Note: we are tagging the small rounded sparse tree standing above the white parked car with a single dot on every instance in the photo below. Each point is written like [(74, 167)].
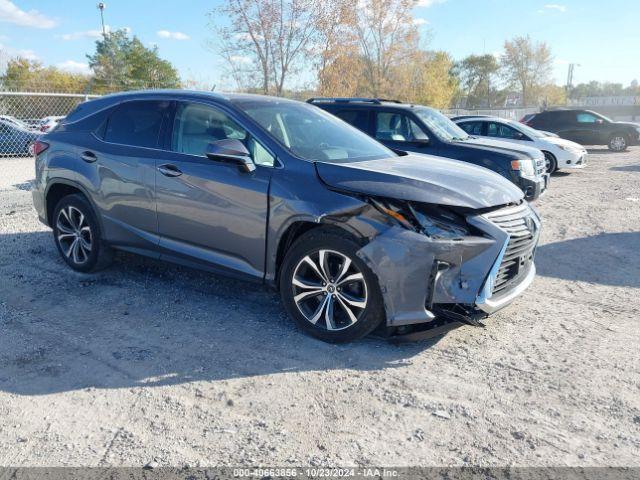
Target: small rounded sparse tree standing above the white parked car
[(527, 65)]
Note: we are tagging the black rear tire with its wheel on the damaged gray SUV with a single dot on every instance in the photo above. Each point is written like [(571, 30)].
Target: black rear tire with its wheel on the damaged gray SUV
[(90, 254)]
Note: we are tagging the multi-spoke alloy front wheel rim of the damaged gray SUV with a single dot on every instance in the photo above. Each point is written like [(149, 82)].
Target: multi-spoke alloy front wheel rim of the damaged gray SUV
[(329, 290)]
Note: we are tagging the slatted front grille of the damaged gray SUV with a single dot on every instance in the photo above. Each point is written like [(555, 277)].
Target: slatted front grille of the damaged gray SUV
[(518, 255)]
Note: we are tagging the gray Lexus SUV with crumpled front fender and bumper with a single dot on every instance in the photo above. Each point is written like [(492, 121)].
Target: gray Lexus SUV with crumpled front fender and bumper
[(355, 236)]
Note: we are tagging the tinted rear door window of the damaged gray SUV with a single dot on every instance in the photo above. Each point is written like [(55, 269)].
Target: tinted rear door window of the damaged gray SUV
[(137, 123)]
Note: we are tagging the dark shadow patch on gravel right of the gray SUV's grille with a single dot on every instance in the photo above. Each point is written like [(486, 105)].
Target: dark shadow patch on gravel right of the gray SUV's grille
[(606, 259)]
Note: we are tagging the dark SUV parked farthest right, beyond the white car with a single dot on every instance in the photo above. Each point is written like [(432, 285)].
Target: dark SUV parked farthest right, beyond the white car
[(587, 128)]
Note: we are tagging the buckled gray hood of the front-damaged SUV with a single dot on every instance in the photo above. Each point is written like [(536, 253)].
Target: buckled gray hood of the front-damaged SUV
[(422, 178)]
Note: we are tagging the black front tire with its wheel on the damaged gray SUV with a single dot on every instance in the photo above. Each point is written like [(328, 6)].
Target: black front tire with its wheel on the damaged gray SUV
[(339, 327)]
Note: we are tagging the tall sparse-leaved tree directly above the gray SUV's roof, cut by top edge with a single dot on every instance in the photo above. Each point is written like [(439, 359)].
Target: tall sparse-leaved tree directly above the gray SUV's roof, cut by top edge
[(266, 40)]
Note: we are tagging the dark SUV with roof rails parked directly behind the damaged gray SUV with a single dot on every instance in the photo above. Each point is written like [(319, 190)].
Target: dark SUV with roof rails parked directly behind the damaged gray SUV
[(418, 129)]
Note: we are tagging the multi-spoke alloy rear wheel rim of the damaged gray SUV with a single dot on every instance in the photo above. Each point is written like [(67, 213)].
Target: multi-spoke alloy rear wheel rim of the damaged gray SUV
[(74, 235)]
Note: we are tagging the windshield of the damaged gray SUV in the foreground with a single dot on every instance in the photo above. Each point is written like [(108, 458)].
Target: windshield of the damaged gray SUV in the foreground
[(312, 134)]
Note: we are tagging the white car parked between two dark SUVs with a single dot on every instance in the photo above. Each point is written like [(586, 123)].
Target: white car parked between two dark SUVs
[(559, 153)]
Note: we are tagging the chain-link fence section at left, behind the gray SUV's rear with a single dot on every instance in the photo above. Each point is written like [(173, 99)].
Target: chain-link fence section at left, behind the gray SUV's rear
[(24, 116)]
